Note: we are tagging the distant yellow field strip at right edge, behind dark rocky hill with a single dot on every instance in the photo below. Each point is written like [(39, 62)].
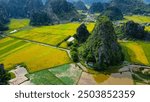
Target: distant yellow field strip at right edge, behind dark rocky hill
[(138, 18)]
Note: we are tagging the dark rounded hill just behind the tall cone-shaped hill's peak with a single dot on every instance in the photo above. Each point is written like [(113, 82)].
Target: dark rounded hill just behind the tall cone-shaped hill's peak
[(113, 13)]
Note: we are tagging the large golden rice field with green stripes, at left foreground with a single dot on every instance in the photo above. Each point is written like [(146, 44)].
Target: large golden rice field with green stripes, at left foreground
[(34, 56)]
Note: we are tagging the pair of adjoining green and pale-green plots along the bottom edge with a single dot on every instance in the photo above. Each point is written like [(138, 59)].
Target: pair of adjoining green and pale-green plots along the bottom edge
[(64, 74)]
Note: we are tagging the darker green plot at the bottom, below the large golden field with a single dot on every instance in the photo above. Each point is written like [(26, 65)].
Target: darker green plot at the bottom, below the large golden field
[(44, 78)]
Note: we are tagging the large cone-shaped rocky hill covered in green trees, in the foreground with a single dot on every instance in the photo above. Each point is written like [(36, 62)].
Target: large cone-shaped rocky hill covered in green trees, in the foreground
[(102, 47)]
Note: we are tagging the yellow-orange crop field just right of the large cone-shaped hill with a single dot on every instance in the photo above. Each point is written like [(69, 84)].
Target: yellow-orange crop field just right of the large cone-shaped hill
[(136, 53)]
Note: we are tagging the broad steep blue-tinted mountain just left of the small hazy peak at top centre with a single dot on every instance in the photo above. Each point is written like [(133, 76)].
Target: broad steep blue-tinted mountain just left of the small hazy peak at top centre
[(62, 9)]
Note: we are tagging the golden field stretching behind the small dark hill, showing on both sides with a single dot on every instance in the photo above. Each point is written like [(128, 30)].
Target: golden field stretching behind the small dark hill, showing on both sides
[(51, 34)]
